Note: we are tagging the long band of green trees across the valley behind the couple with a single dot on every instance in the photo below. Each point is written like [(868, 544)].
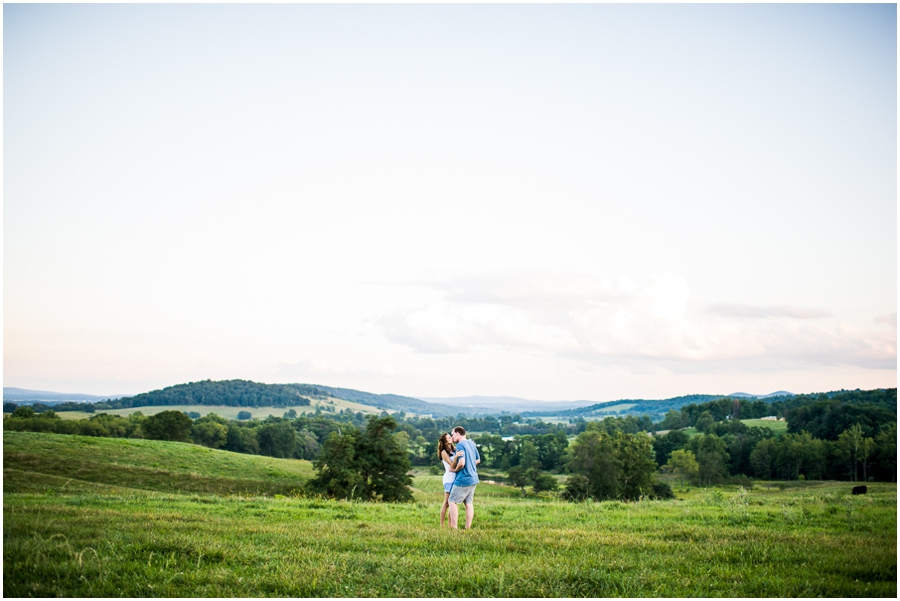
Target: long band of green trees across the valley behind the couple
[(848, 436)]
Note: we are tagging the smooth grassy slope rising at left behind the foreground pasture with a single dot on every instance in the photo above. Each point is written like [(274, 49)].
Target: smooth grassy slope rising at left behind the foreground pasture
[(37, 461)]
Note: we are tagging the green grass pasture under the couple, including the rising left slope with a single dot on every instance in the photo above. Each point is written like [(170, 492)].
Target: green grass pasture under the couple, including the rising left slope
[(112, 535)]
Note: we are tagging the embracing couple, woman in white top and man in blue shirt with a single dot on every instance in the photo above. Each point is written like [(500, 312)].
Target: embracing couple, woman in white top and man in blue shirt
[(459, 457)]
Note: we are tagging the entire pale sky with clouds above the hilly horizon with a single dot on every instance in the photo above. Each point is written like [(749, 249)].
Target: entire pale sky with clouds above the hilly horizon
[(555, 202)]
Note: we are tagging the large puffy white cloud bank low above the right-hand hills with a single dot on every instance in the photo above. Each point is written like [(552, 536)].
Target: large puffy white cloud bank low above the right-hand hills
[(629, 322)]
